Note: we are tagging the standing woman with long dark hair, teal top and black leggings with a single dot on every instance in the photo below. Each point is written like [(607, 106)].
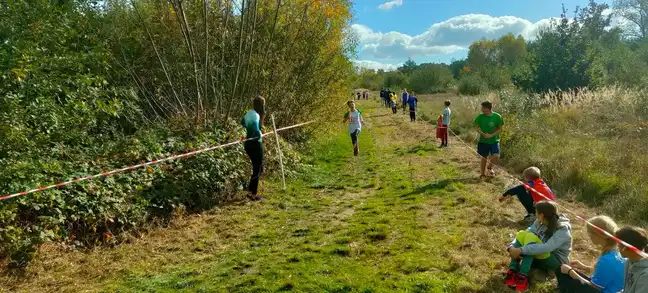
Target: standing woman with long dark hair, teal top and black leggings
[(252, 121)]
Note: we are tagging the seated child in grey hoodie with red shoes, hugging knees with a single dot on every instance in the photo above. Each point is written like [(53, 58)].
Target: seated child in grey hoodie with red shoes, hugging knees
[(546, 244)]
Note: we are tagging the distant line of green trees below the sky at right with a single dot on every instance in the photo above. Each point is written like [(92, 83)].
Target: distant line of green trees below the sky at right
[(583, 50)]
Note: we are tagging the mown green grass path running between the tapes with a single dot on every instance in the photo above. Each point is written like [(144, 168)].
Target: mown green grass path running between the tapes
[(404, 216)]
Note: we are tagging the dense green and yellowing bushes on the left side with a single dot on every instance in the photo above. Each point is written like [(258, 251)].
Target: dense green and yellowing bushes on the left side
[(91, 86)]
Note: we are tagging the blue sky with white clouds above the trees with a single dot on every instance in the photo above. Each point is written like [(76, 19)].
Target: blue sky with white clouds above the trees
[(390, 31)]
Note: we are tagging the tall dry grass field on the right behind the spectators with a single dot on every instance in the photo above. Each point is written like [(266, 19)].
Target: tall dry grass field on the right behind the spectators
[(591, 146)]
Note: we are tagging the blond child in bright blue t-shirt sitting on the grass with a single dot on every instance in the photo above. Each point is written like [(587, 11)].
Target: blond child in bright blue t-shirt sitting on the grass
[(608, 274)]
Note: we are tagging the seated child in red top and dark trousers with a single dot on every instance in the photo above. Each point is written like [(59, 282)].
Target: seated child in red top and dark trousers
[(531, 192)]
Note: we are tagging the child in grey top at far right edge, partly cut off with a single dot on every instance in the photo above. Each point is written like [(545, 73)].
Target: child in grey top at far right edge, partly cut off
[(636, 267)]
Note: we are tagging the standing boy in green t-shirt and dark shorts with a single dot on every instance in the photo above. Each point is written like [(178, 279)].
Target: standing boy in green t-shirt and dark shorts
[(489, 125)]
